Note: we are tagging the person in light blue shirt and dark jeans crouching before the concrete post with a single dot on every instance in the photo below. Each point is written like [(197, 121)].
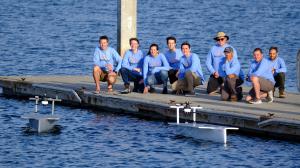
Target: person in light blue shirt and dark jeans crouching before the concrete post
[(132, 67)]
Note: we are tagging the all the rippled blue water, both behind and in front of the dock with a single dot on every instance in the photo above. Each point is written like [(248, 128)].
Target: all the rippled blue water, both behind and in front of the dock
[(45, 37)]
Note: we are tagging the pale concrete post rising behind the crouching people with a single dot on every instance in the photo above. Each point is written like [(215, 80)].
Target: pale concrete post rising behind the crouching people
[(127, 14)]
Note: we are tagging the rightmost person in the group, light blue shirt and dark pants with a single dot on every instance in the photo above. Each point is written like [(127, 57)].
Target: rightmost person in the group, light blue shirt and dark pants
[(279, 70)]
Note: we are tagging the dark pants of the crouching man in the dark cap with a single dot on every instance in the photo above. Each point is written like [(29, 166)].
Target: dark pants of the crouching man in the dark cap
[(232, 87)]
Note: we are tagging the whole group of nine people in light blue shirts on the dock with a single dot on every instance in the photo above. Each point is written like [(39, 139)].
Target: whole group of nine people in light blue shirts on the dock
[(182, 68)]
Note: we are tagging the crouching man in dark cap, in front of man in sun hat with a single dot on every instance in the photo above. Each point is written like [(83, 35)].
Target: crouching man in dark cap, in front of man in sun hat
[(233, 77)]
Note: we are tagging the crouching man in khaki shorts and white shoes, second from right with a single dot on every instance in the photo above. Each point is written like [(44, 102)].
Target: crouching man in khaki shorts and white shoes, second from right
[(261, 76)]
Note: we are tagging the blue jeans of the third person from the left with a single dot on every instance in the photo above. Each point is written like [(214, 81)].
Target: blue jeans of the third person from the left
[(158, 78)]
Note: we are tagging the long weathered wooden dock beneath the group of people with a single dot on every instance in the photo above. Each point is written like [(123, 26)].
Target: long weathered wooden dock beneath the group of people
[(279, 119)]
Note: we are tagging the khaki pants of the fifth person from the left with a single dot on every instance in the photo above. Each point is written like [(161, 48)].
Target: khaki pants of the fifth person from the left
[(190, 81)]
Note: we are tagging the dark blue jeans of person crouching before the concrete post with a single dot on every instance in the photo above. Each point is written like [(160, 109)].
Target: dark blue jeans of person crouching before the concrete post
[(128, 76)]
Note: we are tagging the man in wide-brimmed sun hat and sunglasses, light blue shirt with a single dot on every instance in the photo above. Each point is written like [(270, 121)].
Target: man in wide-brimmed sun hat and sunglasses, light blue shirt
[(213, 60)]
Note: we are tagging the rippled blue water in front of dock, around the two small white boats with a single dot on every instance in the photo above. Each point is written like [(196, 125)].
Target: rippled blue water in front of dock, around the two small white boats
[(92, 138)]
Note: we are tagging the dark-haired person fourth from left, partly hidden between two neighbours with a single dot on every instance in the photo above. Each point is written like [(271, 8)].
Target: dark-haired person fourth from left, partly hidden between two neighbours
[(173, 56)]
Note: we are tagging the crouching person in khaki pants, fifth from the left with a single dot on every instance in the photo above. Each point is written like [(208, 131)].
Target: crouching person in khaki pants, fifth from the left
[(190, 72)]
